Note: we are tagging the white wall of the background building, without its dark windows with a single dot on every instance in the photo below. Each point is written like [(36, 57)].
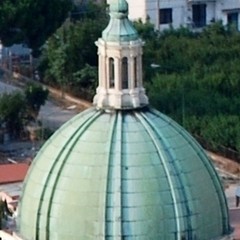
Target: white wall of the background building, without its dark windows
[(182, 11)]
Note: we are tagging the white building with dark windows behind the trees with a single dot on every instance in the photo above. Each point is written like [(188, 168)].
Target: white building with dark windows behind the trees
[(194, 14)]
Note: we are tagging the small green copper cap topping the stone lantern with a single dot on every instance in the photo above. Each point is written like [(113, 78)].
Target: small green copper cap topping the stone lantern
[(119, 29)]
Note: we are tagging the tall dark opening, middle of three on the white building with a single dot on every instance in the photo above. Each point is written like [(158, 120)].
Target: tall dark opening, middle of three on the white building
[(199, 15)]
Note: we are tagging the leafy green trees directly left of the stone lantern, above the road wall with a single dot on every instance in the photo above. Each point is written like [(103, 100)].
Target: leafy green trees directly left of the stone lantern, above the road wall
[(70, 56)]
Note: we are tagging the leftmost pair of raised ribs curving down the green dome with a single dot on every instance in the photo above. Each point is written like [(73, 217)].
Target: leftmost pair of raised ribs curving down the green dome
[(71, 142)]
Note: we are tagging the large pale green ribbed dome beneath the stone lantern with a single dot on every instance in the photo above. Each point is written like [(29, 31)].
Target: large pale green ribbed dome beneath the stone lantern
[(122, 175)]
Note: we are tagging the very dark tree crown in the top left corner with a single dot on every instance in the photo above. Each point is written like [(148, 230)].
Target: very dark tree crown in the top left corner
[(31, 21)]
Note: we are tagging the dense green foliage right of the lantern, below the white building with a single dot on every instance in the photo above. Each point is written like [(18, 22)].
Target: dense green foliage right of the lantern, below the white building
[(198, 81)]
